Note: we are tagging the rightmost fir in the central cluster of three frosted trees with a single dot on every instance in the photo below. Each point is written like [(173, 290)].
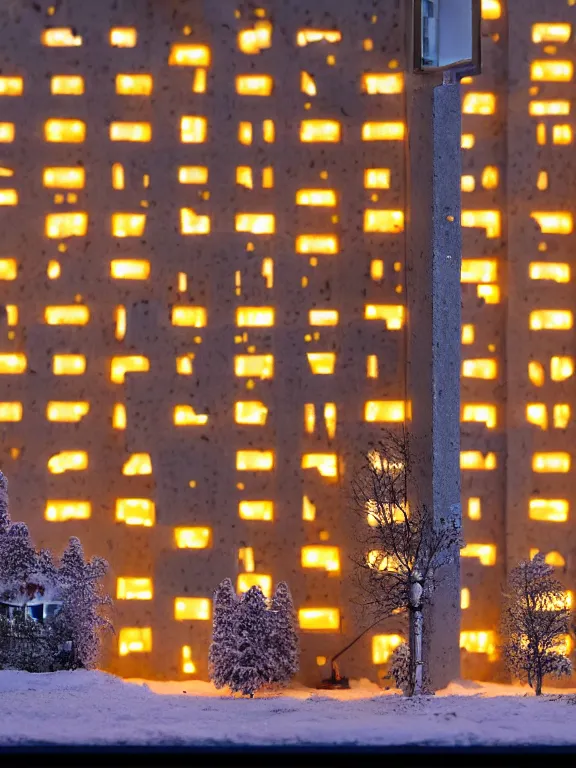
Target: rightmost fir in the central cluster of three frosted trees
[(283, 641)]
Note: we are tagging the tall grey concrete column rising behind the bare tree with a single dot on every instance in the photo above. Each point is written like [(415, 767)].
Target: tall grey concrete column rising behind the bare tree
[(433, 262)]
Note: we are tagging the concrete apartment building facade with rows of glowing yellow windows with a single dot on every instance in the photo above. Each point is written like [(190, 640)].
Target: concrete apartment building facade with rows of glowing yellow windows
[(202, 266)]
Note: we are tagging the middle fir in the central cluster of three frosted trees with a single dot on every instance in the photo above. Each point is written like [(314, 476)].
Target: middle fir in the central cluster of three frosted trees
[(253, 665)]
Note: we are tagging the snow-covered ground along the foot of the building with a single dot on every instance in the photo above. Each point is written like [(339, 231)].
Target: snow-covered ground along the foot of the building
[(96, 708)]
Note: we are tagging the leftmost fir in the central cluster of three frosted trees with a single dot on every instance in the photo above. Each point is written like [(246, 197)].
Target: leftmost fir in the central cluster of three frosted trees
[(223, 649)]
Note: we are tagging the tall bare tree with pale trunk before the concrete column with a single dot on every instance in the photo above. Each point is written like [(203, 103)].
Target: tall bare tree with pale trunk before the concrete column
[(403, 545)]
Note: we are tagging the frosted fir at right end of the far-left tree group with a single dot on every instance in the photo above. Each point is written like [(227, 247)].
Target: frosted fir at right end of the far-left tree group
[(83, 598)]
